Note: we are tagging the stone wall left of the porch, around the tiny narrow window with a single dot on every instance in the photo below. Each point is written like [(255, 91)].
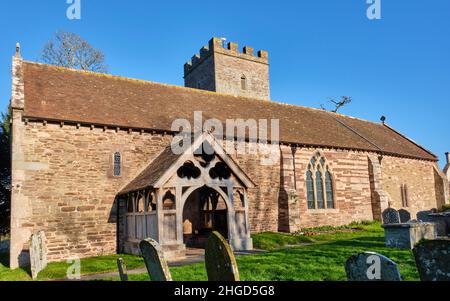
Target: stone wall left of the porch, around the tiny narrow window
[(68, 190)]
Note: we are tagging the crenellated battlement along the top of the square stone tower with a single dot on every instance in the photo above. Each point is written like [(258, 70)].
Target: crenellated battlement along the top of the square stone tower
[(215, 45)]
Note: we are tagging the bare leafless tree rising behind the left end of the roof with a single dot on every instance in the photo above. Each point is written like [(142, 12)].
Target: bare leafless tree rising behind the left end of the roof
[(69, 50)]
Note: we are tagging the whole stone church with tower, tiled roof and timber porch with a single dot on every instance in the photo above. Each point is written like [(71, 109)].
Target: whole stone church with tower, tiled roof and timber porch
[(93, 164)]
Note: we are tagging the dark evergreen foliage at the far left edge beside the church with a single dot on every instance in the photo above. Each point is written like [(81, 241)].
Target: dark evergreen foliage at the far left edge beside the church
[(5, 172)]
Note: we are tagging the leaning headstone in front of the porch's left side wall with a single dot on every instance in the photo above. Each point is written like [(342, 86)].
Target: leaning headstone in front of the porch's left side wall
[(157, 267)]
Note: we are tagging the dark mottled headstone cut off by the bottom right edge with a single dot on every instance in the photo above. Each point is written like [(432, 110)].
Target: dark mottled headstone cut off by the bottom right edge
[(433, 259)]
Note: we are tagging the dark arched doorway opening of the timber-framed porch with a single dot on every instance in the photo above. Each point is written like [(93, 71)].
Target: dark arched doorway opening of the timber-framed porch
[(204, 211)]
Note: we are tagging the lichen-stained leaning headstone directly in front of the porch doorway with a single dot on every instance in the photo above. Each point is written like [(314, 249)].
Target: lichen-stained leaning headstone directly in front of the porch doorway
[(219, 259)]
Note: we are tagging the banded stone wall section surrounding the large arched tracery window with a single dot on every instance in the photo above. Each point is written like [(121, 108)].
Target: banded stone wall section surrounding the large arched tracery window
[(351, 188)]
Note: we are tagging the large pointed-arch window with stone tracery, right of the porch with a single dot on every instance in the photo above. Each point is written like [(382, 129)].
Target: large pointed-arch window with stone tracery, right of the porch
[(319, 185)]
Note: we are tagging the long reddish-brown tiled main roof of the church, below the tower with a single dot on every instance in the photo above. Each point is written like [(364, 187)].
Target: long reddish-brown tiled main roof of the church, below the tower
[(61, 94)]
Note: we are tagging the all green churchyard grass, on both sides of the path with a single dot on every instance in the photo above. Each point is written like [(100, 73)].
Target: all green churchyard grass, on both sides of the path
[(324, 259)]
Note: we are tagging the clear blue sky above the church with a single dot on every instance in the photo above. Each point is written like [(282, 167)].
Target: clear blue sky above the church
[(398, 66)]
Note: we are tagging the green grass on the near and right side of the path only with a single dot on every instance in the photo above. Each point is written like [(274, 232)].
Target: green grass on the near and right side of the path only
[(323, 260)]
